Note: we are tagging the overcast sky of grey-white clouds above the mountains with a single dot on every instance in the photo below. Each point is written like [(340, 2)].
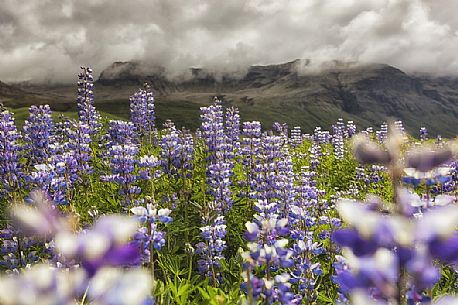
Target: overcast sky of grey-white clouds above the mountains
[(50, 39)]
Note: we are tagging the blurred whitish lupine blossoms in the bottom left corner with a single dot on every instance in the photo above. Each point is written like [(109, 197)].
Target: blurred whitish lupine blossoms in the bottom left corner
[(42, 285)]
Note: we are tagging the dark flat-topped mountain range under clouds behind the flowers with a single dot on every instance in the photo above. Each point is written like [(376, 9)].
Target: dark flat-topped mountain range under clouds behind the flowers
[(295, 92)]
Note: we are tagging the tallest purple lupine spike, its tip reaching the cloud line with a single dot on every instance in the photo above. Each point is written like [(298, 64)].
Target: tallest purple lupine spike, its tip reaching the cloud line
[(86, 111)]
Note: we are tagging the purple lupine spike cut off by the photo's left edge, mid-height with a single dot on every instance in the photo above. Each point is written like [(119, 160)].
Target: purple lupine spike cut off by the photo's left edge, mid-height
[(10, 168)]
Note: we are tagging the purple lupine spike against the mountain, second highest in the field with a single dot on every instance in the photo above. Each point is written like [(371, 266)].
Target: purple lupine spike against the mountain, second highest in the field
[(142, 113)]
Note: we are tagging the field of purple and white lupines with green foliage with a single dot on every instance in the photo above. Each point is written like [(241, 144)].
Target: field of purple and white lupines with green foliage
[(128, 212)]
